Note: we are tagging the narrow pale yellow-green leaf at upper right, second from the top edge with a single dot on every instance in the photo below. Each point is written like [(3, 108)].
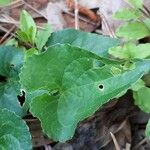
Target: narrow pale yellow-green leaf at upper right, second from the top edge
[(127, 14)]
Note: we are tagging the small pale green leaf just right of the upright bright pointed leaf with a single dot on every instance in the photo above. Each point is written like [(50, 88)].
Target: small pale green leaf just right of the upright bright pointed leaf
[(42, 36)]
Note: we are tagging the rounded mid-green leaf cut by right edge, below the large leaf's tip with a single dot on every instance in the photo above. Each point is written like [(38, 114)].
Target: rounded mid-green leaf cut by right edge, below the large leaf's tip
[(141, 98)]
